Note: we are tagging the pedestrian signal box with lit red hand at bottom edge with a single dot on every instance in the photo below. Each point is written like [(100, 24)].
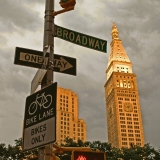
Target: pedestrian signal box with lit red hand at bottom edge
[(88, 155)]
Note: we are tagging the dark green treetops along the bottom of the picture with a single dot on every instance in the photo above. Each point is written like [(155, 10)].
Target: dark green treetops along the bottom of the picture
[(146, 152)]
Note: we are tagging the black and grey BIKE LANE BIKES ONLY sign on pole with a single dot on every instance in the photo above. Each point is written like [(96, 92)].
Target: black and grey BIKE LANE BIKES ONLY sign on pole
[(40, 118)]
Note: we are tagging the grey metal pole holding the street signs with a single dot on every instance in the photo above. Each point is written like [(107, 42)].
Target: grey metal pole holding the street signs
[(45, 153)]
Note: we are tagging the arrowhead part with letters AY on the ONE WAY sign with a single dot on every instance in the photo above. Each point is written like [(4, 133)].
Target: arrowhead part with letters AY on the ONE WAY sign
[(62, 64)]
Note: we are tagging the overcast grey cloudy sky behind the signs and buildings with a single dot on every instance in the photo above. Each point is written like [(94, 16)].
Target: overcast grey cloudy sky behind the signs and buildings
[(138, 23)]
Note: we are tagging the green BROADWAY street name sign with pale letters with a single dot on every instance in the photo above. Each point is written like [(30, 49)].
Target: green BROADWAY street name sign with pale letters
[(81, 39)]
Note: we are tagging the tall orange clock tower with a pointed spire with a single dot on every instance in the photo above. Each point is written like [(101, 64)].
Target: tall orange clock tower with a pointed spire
[(122, 100)]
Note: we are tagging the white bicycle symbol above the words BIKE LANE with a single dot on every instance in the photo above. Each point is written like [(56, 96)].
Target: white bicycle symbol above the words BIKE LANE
[(42, 101)]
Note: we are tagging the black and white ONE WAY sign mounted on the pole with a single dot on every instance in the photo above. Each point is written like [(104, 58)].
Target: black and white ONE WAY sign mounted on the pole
[(33, 58)]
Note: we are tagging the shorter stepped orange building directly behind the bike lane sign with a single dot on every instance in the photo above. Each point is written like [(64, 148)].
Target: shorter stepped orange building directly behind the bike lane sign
[(68, 123)]
